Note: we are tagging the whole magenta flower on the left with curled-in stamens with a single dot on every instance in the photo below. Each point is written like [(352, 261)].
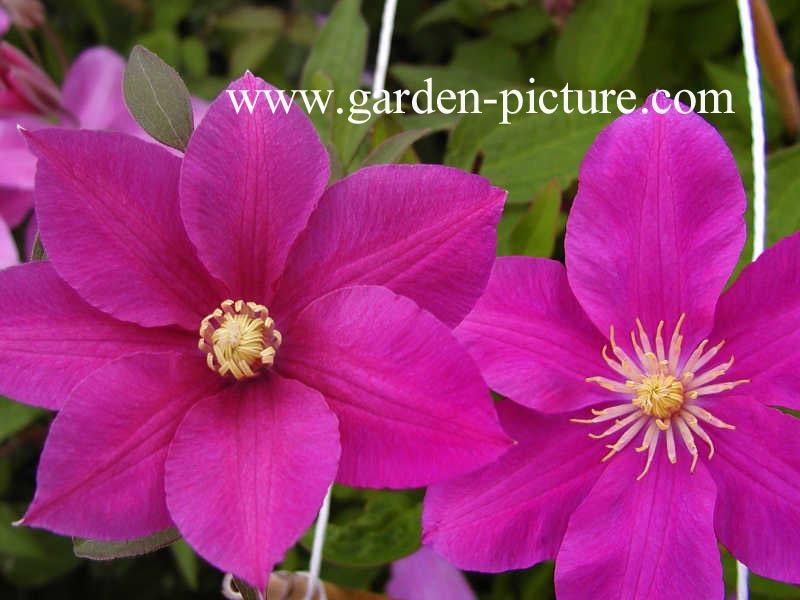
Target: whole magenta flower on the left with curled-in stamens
[(322, 319)]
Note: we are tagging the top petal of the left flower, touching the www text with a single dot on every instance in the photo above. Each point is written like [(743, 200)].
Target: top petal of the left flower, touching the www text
[(248, 185)]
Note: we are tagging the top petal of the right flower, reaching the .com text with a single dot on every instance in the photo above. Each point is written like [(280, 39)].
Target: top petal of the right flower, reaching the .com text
[(657, 225)]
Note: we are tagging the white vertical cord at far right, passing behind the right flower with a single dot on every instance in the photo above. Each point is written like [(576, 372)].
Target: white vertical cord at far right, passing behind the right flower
[(759, 183)]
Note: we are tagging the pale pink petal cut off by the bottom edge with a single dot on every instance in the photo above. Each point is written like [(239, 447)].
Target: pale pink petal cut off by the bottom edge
[(427, 576)]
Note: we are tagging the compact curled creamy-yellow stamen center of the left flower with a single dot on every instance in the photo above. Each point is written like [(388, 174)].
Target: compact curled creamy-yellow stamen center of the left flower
[(239, 339)]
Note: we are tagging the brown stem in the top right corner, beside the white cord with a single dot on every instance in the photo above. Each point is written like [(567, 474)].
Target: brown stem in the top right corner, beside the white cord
[(777, 68)]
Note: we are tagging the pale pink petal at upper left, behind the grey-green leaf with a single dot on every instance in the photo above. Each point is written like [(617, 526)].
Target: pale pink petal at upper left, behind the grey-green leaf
[(92, 92)]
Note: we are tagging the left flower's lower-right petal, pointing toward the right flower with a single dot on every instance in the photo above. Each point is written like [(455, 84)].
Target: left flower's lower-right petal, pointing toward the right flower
[(402, 387)]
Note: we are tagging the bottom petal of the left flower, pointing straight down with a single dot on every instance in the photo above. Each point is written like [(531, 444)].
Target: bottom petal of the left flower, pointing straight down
[(247, 472)]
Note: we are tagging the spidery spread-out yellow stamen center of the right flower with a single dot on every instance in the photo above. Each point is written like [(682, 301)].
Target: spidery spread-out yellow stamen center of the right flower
[(663, 393)]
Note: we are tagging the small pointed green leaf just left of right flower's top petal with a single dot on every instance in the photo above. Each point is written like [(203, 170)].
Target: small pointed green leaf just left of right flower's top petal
[(535, 233)]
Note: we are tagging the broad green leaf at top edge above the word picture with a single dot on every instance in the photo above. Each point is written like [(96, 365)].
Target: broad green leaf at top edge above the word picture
[(601, 41)]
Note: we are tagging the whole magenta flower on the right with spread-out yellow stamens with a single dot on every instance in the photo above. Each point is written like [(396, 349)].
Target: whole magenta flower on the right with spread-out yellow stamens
[(674, 384)]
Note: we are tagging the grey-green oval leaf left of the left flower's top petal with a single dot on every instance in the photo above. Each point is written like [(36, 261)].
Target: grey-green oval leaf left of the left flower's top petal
[(158, 99)]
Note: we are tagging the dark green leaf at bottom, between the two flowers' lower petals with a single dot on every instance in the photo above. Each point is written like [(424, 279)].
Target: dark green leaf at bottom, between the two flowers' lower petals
[(386, 529)]
